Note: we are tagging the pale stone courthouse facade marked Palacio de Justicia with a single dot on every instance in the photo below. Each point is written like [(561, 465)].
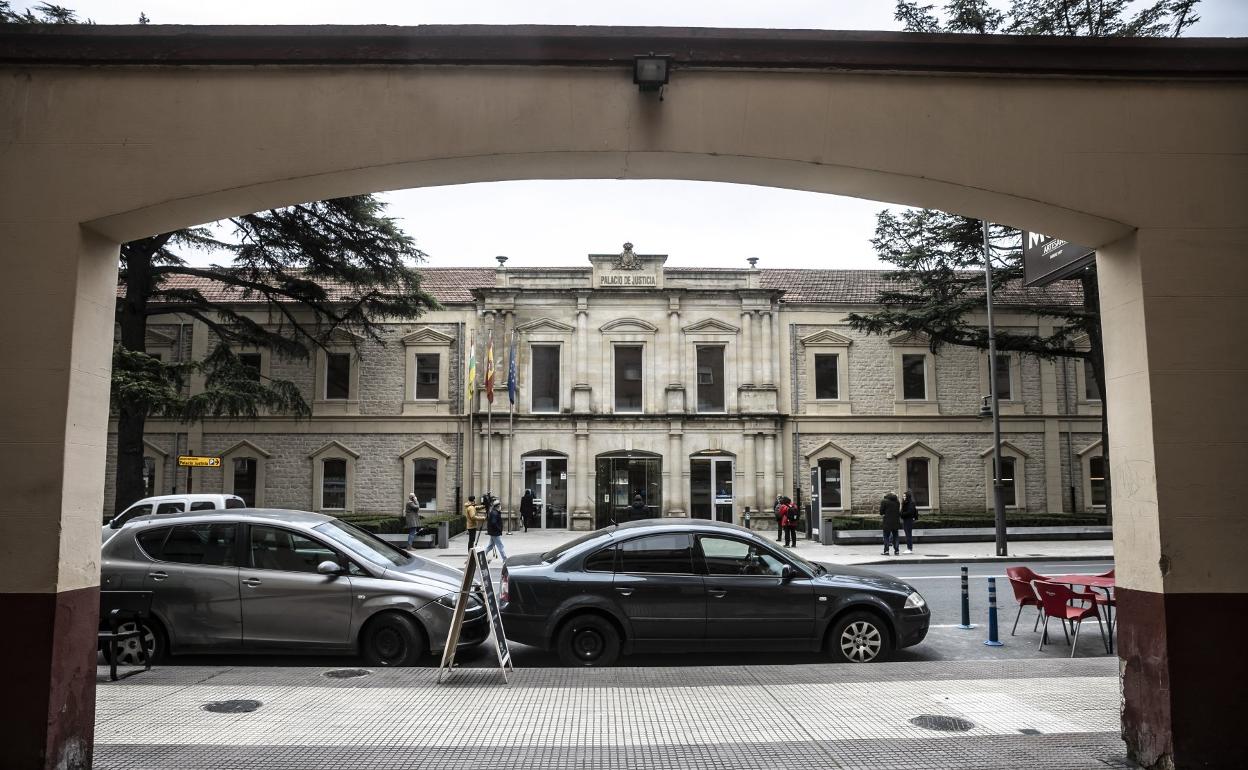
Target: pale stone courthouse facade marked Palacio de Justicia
[(701, 391)]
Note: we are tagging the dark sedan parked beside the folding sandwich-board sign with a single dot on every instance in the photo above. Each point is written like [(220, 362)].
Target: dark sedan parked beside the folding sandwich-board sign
[(658, 586)]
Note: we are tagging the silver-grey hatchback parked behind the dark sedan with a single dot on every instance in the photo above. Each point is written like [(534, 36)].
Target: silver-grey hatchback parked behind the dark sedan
[(259, 581)]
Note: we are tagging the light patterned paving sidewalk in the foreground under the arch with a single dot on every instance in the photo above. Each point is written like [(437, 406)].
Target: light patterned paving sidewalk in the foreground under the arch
[(979, 714)]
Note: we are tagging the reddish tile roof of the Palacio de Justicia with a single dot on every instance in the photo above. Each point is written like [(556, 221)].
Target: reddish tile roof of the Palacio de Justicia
[(455, 285)]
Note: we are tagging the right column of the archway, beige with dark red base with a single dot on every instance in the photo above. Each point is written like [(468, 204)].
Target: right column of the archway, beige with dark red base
[(1174, 306)]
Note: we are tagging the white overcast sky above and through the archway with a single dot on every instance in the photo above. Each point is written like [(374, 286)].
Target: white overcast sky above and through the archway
[(558, 223)]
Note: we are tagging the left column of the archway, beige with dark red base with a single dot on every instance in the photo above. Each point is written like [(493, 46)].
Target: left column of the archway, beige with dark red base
[(54, 417)]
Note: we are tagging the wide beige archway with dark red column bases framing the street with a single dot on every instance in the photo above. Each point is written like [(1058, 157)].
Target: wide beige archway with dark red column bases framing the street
[(1134, 147)]
